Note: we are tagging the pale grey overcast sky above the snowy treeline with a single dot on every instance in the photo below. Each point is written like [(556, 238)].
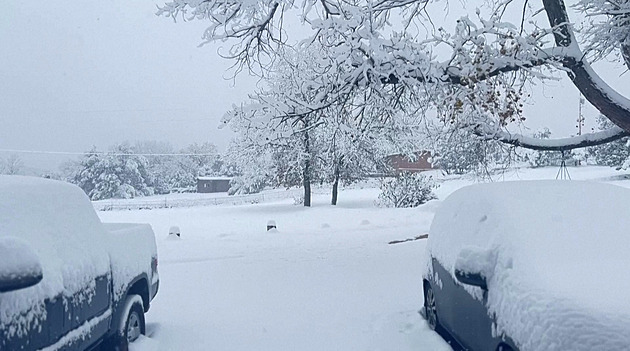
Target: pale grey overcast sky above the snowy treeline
[(78, 74)]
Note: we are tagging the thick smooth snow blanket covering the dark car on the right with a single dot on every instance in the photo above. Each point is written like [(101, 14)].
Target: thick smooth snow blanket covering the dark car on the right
[(561, 278)]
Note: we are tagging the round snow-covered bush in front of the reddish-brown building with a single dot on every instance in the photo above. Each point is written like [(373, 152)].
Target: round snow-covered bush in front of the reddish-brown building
[(406, 190)]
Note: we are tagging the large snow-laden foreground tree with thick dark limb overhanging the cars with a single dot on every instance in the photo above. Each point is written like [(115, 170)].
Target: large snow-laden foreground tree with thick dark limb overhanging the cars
[(473, 72)]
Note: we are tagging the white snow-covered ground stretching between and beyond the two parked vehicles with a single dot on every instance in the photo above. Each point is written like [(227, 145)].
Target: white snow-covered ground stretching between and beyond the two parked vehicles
[(326, 280)]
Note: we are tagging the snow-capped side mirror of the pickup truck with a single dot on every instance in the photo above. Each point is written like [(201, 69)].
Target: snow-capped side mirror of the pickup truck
[(20, 267)]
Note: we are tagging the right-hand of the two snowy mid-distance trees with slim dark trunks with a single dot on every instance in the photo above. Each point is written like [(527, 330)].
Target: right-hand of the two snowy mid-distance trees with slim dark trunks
[(357, 137)]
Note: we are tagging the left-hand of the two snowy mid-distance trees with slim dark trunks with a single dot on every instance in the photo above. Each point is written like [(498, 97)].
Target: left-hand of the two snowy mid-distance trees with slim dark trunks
[(275, 128)]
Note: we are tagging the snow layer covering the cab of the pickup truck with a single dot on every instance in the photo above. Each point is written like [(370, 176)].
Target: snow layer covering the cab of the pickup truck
[(57, 221)]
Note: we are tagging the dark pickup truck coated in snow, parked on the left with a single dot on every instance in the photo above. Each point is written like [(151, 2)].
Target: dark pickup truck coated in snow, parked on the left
[(68, 281)]
